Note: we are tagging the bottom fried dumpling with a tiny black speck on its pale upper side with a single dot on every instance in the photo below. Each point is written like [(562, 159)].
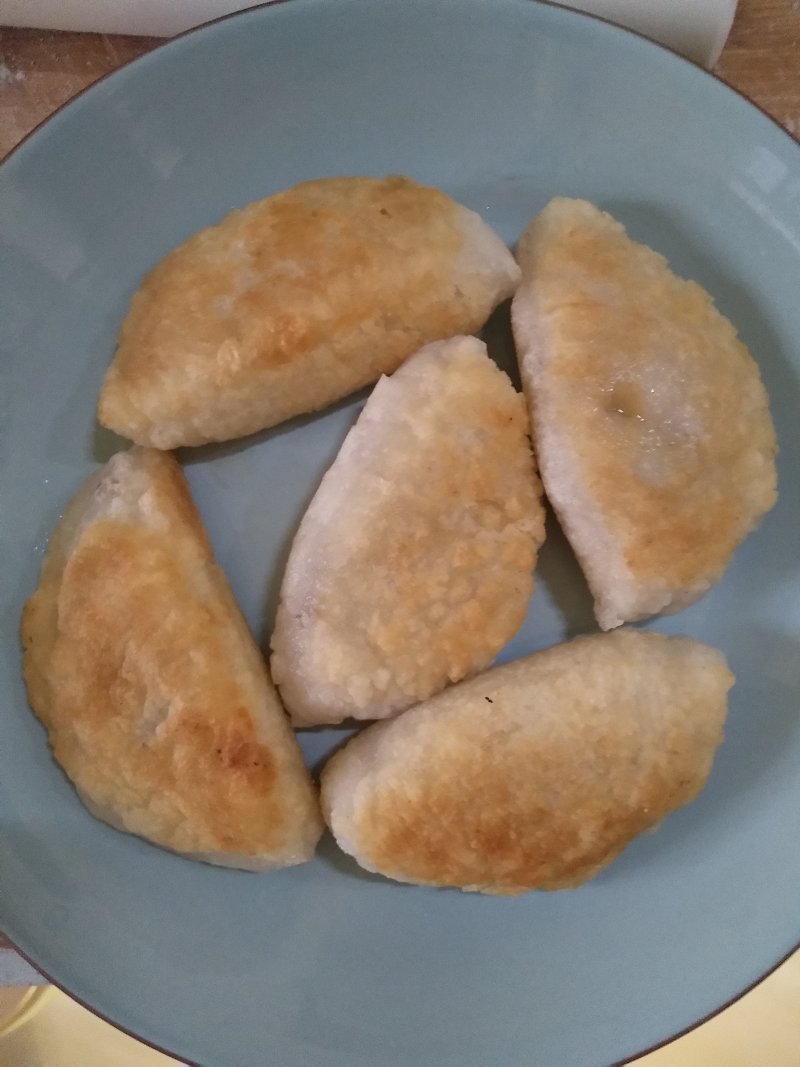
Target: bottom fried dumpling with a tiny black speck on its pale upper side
[(535, 775)]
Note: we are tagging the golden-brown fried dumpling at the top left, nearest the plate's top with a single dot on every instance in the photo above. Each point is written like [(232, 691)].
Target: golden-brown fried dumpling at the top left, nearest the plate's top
[(294, 302)]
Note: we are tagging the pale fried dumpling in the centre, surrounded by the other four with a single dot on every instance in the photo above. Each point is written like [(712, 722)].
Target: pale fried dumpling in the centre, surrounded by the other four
[(413, 565)]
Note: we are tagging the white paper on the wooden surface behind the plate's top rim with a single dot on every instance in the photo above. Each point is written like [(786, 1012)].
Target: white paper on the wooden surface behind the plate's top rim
[(696, 28)]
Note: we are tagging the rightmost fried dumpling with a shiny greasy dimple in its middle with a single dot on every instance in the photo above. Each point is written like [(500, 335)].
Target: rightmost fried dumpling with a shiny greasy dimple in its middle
[(651, 423)]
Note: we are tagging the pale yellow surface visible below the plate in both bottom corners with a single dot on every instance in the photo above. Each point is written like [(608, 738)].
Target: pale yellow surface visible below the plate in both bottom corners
[(46, 1029)]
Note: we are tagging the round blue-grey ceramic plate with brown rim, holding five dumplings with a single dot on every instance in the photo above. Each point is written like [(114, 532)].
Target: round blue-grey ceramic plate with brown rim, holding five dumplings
[(504, 104)]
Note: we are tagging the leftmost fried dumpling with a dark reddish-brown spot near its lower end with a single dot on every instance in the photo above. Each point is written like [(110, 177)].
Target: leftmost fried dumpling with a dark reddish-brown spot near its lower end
[(156, 699)]
